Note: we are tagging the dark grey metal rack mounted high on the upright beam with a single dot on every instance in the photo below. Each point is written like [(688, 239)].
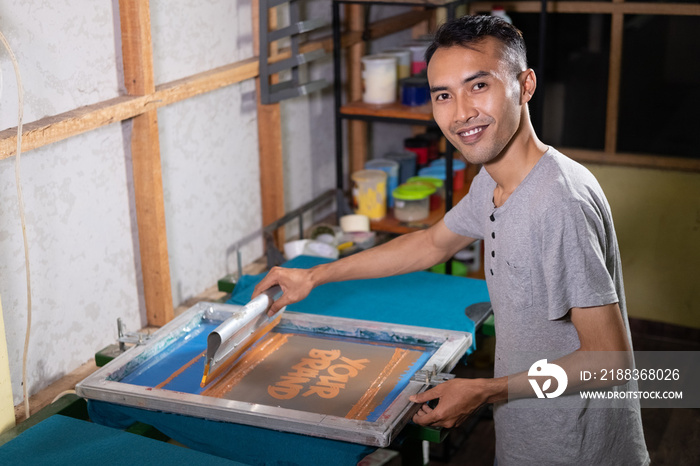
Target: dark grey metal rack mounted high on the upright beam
[(272, 93)]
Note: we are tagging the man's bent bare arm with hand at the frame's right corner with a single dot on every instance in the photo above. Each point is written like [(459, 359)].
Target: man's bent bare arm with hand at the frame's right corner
[(599, 329)]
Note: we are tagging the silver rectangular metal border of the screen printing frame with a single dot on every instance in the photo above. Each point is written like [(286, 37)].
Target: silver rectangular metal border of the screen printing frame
[(103, 385)]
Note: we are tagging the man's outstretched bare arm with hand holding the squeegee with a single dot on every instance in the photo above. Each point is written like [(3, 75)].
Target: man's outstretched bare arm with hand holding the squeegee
[(407, 253)]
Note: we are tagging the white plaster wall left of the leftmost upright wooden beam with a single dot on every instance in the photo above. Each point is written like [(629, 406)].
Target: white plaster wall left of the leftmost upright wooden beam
[(76, 197)]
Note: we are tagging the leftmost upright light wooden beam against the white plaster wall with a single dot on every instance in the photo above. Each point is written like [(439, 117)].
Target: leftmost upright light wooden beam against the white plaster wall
[(145, 154)]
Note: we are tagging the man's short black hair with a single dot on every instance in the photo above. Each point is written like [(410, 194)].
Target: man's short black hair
[(469, 30)]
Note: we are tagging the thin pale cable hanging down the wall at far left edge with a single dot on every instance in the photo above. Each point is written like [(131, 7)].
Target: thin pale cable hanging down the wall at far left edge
[(20, 200)]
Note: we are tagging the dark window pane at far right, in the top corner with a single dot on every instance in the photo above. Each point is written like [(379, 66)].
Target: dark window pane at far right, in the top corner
[(660, 86)]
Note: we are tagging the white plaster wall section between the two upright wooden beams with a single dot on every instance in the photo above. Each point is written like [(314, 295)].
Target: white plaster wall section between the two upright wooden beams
[(209, 144)]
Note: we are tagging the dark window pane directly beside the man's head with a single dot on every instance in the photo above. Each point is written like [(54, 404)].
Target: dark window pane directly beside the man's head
[(575, 77)]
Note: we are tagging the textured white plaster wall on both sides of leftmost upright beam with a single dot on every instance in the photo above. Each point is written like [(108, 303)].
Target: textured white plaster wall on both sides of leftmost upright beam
[(79, 192)]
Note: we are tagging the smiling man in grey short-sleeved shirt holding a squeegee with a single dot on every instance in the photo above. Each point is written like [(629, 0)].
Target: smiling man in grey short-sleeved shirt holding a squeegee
[(552, 261)]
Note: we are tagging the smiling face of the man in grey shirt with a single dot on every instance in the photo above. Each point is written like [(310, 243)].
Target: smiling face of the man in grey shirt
[(475, 96)]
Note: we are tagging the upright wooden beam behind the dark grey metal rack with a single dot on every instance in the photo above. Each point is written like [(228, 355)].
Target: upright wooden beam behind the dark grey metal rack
[(269, 143)]
